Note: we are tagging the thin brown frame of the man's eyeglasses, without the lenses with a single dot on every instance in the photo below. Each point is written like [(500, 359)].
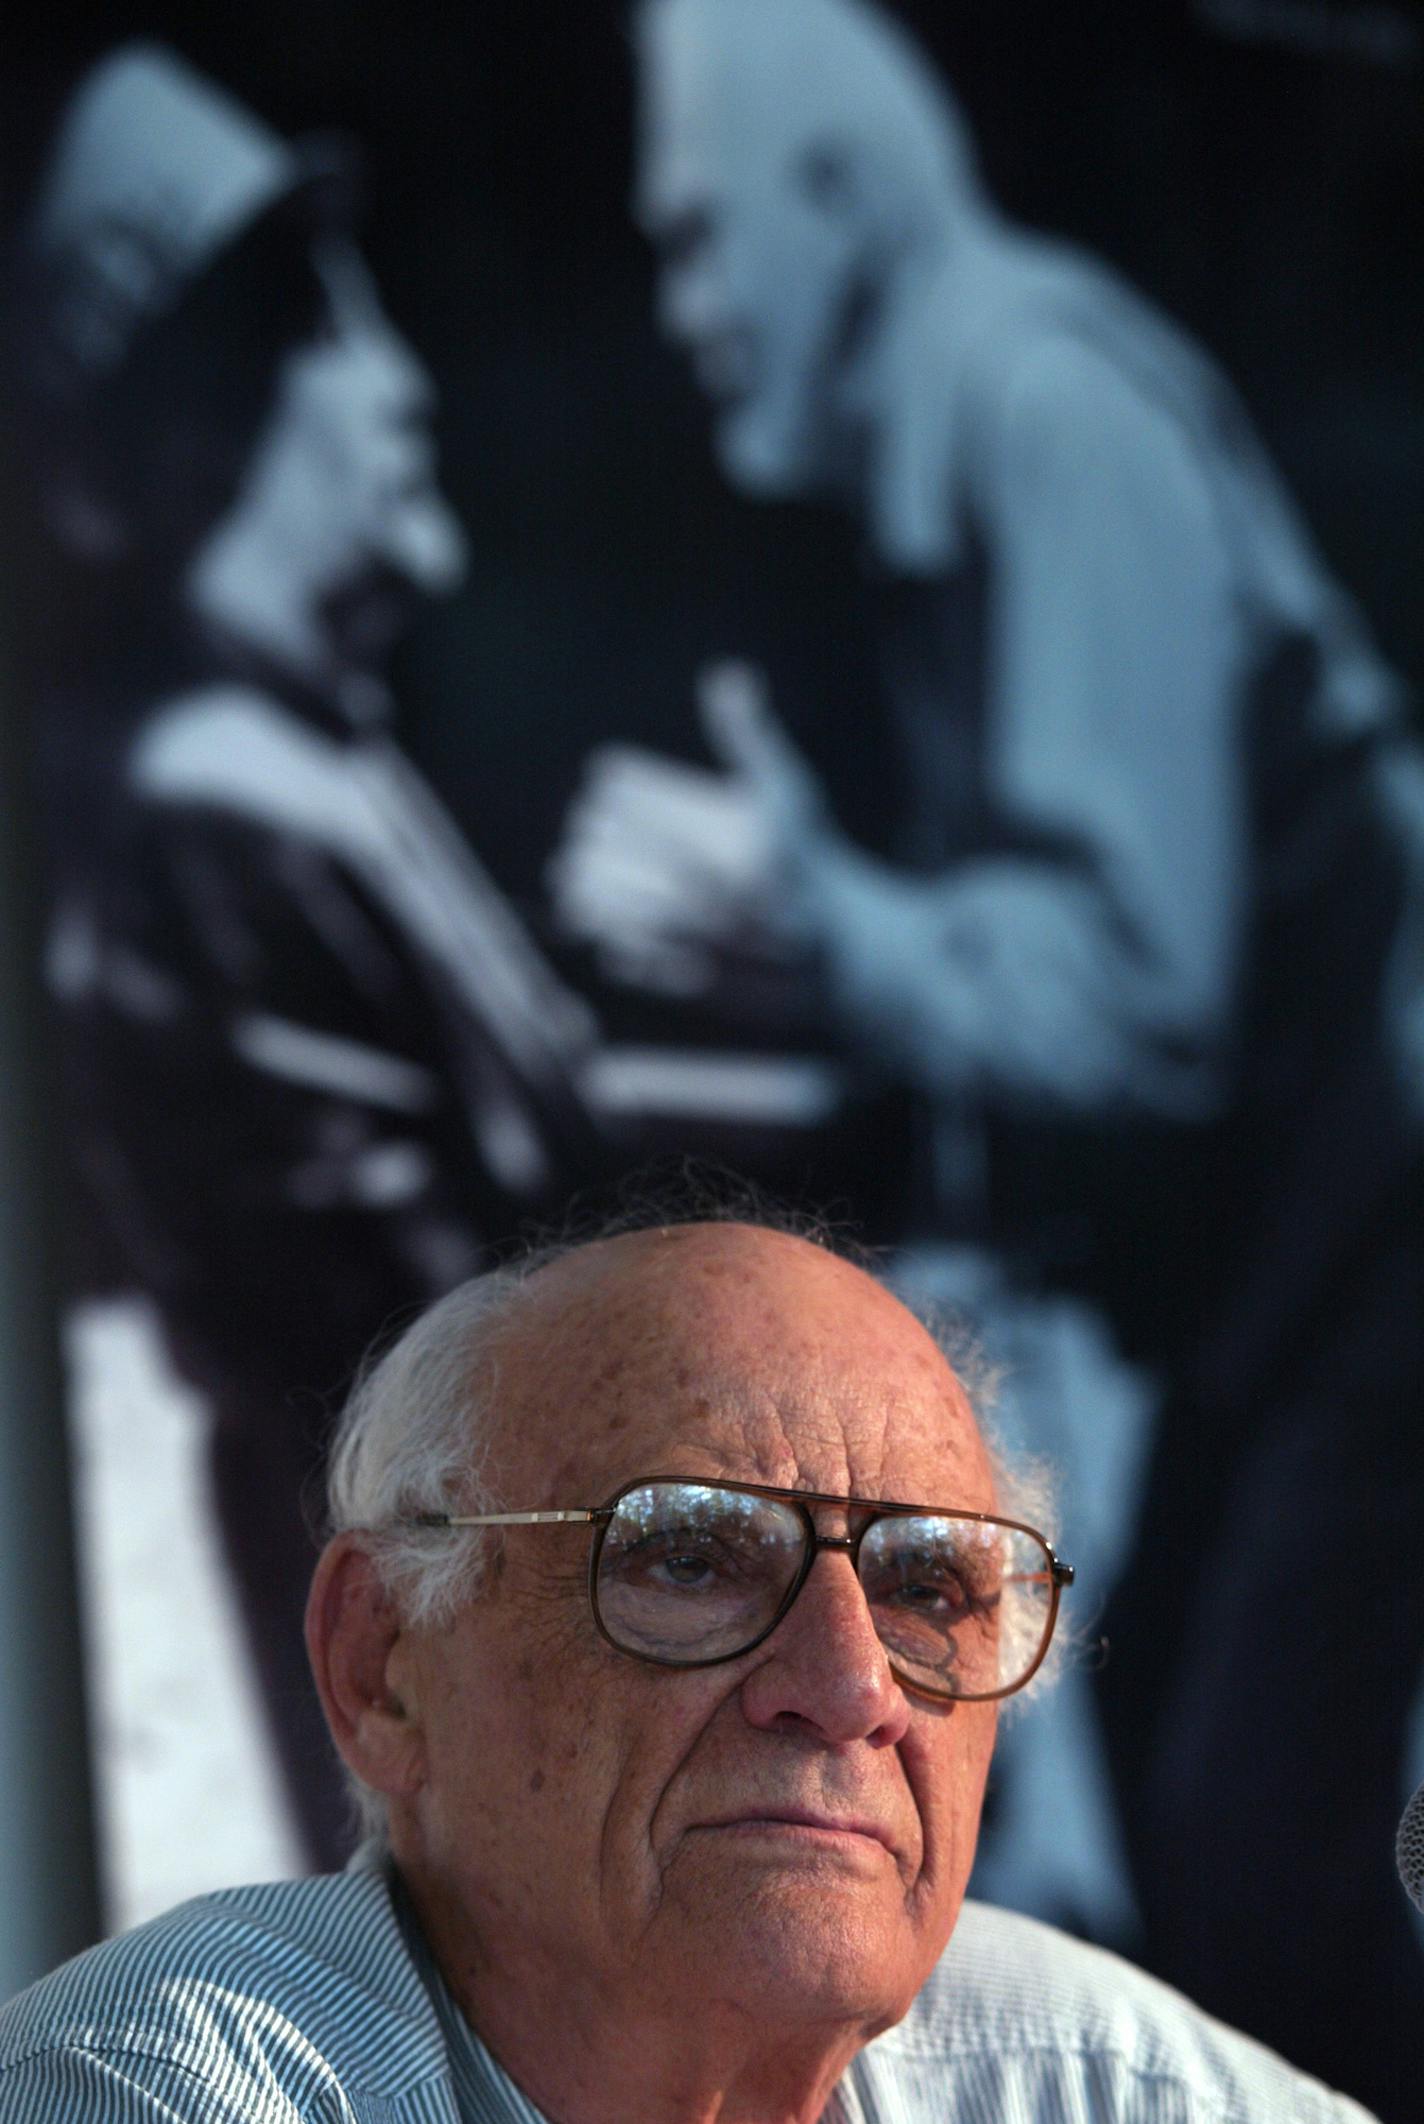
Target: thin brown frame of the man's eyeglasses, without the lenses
[(802, 1501)]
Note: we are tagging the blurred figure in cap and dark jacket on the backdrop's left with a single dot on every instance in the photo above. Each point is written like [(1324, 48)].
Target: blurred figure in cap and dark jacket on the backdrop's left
[(313, 1059)]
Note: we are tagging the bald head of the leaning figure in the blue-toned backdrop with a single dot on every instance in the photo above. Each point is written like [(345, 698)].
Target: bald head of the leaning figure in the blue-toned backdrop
[(796, 160)]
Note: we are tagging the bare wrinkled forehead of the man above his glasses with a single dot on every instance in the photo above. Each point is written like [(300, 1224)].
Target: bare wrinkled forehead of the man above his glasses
[(728, 1350)]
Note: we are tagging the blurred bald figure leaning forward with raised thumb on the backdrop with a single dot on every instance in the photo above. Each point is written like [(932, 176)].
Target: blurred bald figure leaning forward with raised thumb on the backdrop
[(1145, 957)]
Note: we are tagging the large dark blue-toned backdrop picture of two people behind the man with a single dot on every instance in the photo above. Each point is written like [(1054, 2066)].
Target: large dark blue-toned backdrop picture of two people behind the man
[(809, 585)]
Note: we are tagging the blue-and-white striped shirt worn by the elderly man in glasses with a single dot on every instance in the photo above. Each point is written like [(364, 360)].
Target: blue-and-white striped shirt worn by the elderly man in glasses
[(318, 2004)]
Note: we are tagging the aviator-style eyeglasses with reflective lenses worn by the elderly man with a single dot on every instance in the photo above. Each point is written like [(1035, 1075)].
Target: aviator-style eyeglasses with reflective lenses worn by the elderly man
[(690, 1575)]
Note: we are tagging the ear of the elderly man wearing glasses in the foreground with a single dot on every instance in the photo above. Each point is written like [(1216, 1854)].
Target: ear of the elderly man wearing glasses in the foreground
[(354, 1637)]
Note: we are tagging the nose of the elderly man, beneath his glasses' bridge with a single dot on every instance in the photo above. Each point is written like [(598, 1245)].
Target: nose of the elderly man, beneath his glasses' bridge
[(824, 1668)]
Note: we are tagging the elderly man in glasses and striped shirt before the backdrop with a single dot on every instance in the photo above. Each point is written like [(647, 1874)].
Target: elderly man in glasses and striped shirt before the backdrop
[(664, 1632)]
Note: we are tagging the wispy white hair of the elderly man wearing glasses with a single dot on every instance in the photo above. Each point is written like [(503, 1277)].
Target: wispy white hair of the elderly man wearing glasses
[(418, 1428)]
